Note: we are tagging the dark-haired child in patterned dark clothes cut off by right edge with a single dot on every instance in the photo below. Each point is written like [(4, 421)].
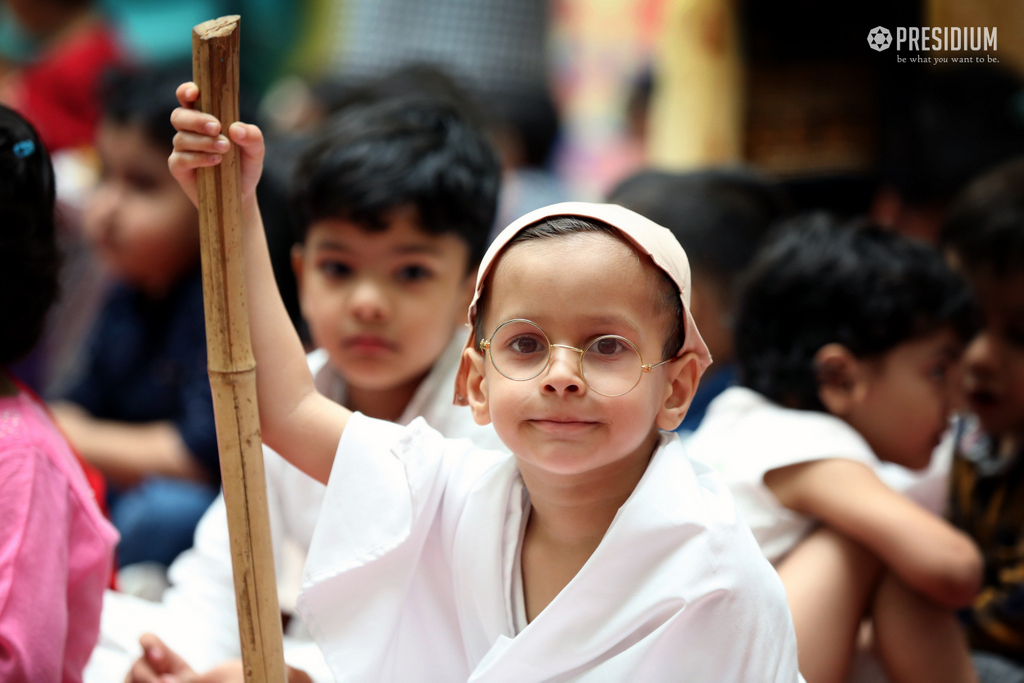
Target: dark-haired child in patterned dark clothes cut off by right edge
[(985, 236)]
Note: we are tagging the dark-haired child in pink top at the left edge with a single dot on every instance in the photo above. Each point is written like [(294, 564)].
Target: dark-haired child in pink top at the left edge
[(57, 549)]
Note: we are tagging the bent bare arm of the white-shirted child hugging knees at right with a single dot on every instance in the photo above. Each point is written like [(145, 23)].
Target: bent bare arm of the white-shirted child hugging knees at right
[(925, 551)]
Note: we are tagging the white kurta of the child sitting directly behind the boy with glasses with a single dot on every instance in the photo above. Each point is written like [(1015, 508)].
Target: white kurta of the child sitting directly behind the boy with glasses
[(198, 617)]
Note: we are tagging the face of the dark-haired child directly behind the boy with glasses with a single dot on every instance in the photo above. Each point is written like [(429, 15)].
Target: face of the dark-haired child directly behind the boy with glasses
[(383, 305)]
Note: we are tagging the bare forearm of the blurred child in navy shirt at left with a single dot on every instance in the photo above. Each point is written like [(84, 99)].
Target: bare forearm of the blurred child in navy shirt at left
[(126, 453)]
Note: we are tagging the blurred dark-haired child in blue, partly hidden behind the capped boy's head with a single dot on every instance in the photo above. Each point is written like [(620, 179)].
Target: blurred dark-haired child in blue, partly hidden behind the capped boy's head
[(719, 218)]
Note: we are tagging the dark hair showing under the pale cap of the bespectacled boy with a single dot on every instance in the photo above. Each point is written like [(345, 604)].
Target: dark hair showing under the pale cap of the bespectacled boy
[(564, 226)]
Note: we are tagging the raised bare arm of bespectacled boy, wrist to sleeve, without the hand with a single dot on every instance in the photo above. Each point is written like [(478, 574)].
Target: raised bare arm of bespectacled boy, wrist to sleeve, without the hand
[(296, 421)]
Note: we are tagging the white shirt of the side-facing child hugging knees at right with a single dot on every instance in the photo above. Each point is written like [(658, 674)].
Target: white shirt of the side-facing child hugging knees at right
[(744, 436)]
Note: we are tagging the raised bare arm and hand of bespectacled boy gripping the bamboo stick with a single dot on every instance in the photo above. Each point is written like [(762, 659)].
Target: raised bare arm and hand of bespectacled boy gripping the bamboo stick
[(296, 421)]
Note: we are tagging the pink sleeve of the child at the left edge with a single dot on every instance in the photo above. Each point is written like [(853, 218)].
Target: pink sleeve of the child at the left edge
[(34, 510)]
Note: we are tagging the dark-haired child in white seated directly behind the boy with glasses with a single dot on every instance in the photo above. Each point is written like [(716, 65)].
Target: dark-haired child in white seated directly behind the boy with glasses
[(387, 271)]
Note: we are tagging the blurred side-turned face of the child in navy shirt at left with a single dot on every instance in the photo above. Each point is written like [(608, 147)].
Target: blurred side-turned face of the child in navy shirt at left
[(139, 219)]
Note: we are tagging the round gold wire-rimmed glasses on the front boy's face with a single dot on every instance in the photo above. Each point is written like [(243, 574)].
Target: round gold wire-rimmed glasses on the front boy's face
[(611, 365)]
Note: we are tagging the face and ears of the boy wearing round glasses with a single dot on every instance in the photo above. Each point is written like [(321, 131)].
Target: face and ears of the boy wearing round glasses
[(556, 422)]
